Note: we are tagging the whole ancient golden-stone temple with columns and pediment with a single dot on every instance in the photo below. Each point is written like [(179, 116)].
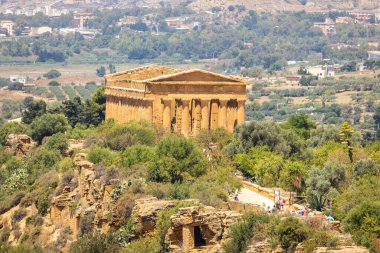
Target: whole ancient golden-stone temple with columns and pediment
[(179, 101)]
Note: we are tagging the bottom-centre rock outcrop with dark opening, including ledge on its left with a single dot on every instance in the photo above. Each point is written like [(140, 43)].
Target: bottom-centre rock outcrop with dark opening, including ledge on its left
[(193, 229)]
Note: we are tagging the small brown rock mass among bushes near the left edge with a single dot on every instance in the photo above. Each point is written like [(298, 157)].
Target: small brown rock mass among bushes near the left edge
[(19, 144)]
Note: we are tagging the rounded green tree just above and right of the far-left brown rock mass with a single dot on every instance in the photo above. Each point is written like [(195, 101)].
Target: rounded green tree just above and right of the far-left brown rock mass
[(47, 125)]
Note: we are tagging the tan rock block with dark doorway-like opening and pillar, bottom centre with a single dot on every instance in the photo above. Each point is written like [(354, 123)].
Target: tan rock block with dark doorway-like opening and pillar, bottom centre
[(200, 229)]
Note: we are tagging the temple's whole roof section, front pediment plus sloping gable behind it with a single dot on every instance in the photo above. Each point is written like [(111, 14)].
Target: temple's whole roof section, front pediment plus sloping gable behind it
[(157, 74)]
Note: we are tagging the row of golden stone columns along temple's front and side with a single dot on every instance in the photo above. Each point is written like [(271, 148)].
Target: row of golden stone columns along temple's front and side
[(181, 115)]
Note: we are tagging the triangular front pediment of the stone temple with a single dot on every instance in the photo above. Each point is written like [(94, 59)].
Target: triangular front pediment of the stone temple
[(194, 76)]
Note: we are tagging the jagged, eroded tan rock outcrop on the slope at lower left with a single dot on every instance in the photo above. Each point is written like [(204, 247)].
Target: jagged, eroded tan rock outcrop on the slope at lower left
[(91, 198)]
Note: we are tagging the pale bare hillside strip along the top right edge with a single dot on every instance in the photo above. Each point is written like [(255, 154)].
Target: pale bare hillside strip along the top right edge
[(289, 5)]
